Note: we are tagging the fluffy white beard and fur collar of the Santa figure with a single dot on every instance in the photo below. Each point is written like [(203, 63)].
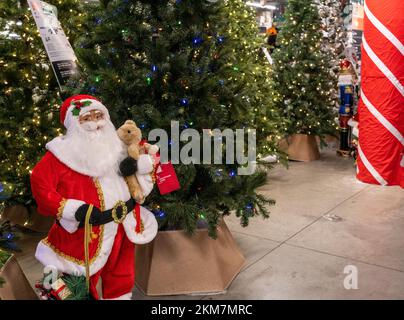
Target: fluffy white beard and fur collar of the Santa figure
[(93, 153)]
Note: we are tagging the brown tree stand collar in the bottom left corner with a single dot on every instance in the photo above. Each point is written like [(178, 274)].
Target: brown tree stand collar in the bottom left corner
[(16, 286)]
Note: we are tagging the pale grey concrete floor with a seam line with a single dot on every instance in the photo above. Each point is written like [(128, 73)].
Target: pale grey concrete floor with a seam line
[(323, 221)]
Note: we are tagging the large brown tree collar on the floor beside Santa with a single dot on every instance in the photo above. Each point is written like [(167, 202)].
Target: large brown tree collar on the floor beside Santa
[(177, 263)]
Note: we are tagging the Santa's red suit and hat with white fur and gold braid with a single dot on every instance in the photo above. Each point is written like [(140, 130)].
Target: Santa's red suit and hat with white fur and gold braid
[(61, 184)]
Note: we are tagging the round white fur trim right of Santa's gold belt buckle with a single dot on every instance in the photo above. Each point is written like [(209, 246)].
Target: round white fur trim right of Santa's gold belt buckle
[(150, 227)]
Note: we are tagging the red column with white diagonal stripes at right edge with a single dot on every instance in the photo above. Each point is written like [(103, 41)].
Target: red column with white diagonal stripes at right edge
[(381, 108)]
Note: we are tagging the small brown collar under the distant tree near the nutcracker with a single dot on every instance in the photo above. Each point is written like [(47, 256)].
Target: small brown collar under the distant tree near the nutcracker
[(300, 147)]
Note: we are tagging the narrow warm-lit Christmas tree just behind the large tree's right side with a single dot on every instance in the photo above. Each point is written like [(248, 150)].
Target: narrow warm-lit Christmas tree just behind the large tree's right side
[(245, 51)]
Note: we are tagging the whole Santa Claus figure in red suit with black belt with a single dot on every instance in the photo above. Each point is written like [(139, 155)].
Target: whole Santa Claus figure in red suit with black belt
[(81, 169)]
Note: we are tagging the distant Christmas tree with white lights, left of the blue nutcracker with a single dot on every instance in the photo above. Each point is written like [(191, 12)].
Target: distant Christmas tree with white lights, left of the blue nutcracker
[(303, 85)]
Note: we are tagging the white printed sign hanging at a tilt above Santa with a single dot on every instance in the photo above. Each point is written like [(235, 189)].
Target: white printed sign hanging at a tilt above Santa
[(58, 48)]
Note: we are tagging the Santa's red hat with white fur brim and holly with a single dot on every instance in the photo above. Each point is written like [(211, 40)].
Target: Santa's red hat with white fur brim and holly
[(78, 105)]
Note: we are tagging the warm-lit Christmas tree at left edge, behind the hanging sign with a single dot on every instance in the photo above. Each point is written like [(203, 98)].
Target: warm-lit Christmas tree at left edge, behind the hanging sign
[(29, 94)]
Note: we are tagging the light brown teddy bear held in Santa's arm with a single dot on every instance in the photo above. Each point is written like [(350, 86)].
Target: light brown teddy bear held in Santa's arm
[(131, 136)]
